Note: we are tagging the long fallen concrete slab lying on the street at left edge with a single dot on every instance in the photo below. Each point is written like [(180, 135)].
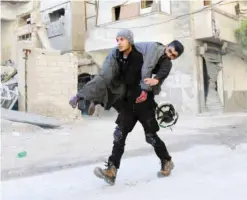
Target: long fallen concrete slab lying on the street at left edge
[(38, 120)]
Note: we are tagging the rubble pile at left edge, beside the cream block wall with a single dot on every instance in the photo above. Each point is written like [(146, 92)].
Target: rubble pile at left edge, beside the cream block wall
[(9, 86)]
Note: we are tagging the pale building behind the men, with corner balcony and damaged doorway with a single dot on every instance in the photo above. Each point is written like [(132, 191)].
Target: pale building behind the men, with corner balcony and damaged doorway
[(203, 79)]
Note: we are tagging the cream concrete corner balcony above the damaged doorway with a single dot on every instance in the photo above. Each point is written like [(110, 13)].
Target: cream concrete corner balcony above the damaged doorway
[(215, 25)]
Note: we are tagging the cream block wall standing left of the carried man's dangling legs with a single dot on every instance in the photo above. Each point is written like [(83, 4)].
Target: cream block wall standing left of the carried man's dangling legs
[(51, 81)]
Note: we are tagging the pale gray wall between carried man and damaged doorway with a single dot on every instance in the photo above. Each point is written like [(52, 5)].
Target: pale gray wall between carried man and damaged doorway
[(180, 87)]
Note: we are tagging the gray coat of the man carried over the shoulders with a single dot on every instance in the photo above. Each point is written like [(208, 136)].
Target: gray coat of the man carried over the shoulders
[(106, 87)]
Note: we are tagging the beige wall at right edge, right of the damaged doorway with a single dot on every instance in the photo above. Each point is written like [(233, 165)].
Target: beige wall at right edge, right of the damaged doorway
[(235, 83)]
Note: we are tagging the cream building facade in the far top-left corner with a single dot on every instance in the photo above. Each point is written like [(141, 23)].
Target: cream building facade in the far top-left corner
[(15, 26)]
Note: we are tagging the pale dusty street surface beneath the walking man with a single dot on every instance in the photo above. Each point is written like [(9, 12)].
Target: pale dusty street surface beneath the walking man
[(209, 162)]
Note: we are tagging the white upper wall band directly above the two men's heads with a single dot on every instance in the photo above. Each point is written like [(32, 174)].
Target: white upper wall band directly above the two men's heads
[(142, 26)]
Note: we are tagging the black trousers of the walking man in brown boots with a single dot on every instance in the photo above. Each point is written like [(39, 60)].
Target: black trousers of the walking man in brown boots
[(127, 118)]
